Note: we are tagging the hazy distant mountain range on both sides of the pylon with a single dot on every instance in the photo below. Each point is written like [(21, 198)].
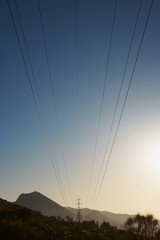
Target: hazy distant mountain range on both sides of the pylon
[(39, 202)]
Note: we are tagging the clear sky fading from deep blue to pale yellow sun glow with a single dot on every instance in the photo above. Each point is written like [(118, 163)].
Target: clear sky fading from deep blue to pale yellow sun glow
[(78, 38)]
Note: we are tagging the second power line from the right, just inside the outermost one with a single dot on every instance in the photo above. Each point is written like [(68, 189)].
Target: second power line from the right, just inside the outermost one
[(119, 94)]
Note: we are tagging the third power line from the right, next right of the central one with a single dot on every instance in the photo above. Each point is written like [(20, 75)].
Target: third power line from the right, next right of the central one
[(102, 99)]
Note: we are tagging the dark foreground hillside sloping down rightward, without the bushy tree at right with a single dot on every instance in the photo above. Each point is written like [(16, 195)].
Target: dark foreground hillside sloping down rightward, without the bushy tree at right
[(20, 223)]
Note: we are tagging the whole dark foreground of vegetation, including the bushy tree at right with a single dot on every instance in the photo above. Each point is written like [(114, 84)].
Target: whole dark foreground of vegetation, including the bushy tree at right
[(23, 224)]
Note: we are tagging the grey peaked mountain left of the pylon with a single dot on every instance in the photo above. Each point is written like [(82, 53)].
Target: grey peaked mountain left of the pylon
[(39, 202)]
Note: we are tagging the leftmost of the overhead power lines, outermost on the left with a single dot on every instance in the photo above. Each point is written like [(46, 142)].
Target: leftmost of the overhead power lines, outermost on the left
[(34, 98)]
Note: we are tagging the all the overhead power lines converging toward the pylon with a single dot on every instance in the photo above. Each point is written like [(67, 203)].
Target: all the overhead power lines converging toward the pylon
[(39, 107)]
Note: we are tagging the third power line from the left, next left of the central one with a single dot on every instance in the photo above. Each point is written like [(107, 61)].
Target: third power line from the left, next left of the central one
[(52, 88)]
